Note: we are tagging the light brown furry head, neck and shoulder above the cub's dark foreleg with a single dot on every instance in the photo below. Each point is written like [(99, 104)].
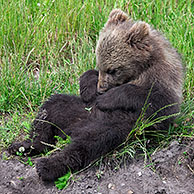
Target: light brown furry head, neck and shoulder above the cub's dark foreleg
[(132, 52)]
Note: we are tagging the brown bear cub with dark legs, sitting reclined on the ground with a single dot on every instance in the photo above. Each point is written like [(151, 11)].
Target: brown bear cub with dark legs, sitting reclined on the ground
[(136, 65)]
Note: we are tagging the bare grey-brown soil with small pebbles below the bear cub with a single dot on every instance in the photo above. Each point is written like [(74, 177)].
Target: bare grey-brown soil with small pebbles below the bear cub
[(171, 172)]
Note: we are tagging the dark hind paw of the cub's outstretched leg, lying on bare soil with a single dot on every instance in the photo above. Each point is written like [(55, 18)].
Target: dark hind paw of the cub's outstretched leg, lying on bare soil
[(50, 169)]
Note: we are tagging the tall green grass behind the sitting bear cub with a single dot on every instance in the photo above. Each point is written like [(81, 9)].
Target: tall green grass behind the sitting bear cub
[(46, 45)]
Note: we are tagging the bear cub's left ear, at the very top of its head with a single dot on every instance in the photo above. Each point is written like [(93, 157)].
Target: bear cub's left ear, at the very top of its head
[(116, 17)]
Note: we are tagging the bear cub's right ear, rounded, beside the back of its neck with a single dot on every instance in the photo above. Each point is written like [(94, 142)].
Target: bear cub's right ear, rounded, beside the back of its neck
[(137, 33)]
